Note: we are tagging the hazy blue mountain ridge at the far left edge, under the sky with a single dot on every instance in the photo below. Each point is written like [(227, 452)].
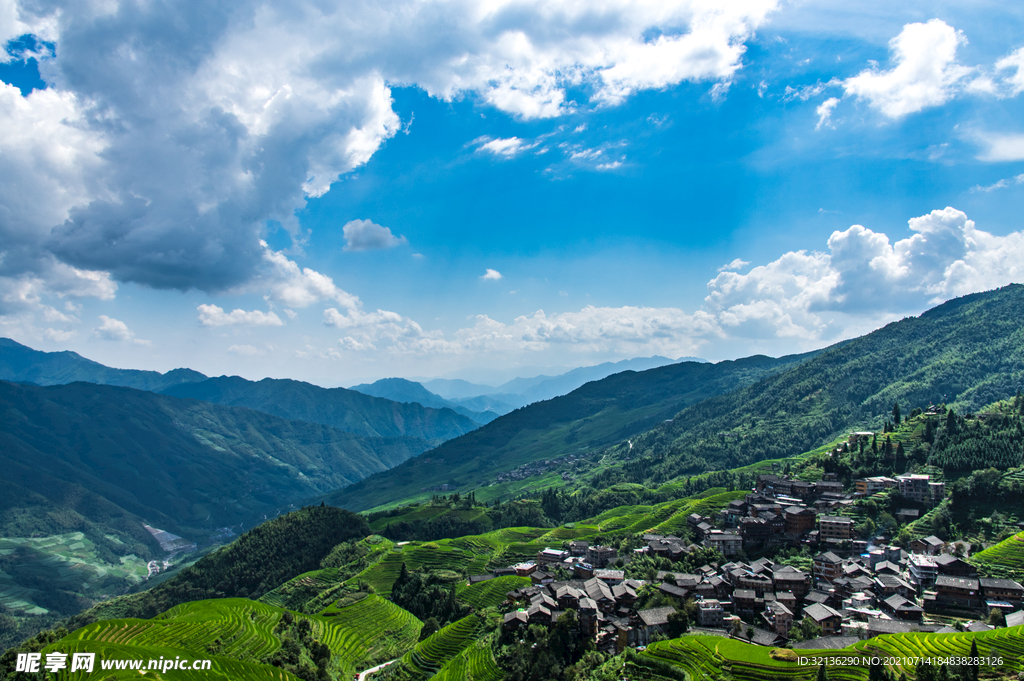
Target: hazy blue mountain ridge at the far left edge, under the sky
[(22, 364)]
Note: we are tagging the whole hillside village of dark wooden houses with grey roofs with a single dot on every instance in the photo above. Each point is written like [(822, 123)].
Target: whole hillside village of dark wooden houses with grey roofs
[(856, 588)]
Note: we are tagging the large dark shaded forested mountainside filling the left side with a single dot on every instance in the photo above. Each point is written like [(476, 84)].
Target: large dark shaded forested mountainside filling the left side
[(81, 456)]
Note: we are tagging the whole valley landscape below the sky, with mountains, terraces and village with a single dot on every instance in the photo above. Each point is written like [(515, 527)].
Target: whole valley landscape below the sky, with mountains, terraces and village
[(694, 521)]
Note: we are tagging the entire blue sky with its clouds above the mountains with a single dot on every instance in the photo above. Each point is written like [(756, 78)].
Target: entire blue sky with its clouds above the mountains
[(487, 190)]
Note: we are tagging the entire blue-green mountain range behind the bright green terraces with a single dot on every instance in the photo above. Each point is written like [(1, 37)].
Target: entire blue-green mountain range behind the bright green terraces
[(88, 464)]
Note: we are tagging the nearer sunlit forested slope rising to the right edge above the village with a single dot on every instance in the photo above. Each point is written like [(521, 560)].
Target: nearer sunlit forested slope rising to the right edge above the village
[(967, 354)]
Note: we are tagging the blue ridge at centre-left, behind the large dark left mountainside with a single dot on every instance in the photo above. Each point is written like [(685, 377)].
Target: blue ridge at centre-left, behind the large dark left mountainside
[(339, 408)]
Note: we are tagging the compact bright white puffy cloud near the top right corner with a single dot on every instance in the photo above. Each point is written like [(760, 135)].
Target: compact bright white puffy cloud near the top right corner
[(926, 73)]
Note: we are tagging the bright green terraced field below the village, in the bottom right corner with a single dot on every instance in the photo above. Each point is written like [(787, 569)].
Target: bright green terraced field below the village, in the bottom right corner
[(704, 657)]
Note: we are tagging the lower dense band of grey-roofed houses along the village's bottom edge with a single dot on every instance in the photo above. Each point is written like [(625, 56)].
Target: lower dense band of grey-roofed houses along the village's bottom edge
[(886, 590)]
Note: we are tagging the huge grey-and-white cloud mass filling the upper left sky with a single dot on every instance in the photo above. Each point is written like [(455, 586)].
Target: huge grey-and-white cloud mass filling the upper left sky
[(170, 135)]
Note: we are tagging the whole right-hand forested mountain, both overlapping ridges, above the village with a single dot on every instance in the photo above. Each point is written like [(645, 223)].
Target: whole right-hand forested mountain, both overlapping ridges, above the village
[(689, 418)]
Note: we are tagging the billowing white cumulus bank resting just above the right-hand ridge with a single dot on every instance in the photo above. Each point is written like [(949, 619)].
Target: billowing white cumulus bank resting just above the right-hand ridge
[(865, 277)]
